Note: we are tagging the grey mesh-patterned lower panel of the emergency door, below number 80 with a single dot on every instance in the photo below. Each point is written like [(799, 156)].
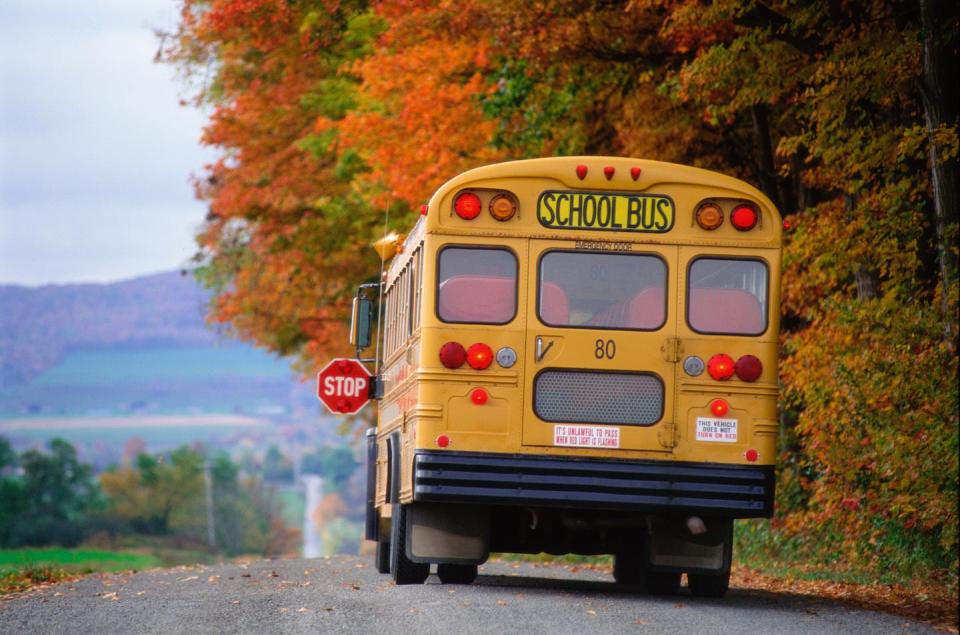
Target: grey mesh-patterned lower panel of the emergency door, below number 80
[(567, 396)]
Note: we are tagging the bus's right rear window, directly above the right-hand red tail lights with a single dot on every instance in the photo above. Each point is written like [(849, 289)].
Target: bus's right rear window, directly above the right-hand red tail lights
[(727, 296)]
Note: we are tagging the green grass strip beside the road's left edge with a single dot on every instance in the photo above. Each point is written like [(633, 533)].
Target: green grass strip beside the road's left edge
[(21, 569)]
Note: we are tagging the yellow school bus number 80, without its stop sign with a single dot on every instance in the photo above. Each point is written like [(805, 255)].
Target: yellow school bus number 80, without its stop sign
[(576, 355)]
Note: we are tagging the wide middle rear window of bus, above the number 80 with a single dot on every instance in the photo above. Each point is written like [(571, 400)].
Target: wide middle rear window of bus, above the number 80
[(602, 291)]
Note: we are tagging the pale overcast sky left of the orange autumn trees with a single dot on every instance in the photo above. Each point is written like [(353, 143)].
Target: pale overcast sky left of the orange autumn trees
[(95, 152)]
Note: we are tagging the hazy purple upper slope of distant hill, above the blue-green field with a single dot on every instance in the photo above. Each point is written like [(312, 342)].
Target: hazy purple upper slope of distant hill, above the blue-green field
[(40, 325)]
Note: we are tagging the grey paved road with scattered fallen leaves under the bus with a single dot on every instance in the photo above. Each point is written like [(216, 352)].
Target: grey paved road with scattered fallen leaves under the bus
[(345, 594)]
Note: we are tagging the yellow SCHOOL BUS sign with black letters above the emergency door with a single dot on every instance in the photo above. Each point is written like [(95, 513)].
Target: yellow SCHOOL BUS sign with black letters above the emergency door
[(606, 211)]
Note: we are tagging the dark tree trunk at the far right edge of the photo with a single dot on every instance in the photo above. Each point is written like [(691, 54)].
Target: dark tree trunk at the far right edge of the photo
[(938, 89)]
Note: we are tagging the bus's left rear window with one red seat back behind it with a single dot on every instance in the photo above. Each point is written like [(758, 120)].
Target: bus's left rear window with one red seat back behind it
[(477, 285)]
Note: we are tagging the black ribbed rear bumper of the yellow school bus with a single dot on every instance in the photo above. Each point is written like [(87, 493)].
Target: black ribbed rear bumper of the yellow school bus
[(585, 483)]
